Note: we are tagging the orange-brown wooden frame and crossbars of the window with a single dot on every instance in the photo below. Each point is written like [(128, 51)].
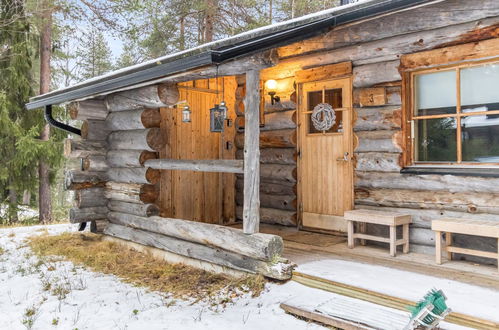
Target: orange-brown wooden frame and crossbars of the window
[(409, 87)]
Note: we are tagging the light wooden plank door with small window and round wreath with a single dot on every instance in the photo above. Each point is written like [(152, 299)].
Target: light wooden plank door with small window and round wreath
[(325, 172)]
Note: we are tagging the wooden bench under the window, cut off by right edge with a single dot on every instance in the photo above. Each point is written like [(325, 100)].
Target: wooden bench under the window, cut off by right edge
[(451, 226)]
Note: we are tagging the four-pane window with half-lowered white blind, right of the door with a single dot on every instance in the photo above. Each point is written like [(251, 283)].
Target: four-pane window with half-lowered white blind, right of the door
[(455, 115)]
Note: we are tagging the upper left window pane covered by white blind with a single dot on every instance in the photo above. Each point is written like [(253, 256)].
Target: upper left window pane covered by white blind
[(435, 93)]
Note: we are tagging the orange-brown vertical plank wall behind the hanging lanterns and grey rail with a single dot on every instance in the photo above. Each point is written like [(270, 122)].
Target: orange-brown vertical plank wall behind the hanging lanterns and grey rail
[(198, 196)]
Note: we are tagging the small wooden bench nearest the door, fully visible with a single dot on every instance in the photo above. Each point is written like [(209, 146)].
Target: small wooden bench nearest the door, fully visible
[(380, 218)]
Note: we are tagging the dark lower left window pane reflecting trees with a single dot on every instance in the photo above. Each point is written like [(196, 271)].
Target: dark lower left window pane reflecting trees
[(436, 140)]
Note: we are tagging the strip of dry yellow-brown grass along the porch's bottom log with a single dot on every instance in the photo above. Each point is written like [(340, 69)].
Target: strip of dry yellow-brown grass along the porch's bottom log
[(141, 269)]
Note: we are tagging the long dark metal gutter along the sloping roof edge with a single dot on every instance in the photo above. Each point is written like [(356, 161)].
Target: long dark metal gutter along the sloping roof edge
[(160, 69)]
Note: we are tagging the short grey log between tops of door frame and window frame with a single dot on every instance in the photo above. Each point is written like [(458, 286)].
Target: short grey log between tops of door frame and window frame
[(375, 73)]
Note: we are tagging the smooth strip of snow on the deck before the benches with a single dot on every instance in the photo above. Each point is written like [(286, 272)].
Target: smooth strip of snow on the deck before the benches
[(461, 297)]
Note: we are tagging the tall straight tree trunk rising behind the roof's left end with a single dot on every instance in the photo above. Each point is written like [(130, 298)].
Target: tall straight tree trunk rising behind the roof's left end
[(45, 204)]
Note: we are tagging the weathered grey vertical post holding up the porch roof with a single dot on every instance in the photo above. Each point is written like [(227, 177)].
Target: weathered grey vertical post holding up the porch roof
[(251, 206)]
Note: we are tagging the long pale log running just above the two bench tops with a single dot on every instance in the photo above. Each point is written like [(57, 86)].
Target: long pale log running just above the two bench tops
[(437, 200)]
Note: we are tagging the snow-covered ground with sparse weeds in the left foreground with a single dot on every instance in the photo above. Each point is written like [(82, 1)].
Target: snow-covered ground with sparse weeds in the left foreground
[(97, 301)]
